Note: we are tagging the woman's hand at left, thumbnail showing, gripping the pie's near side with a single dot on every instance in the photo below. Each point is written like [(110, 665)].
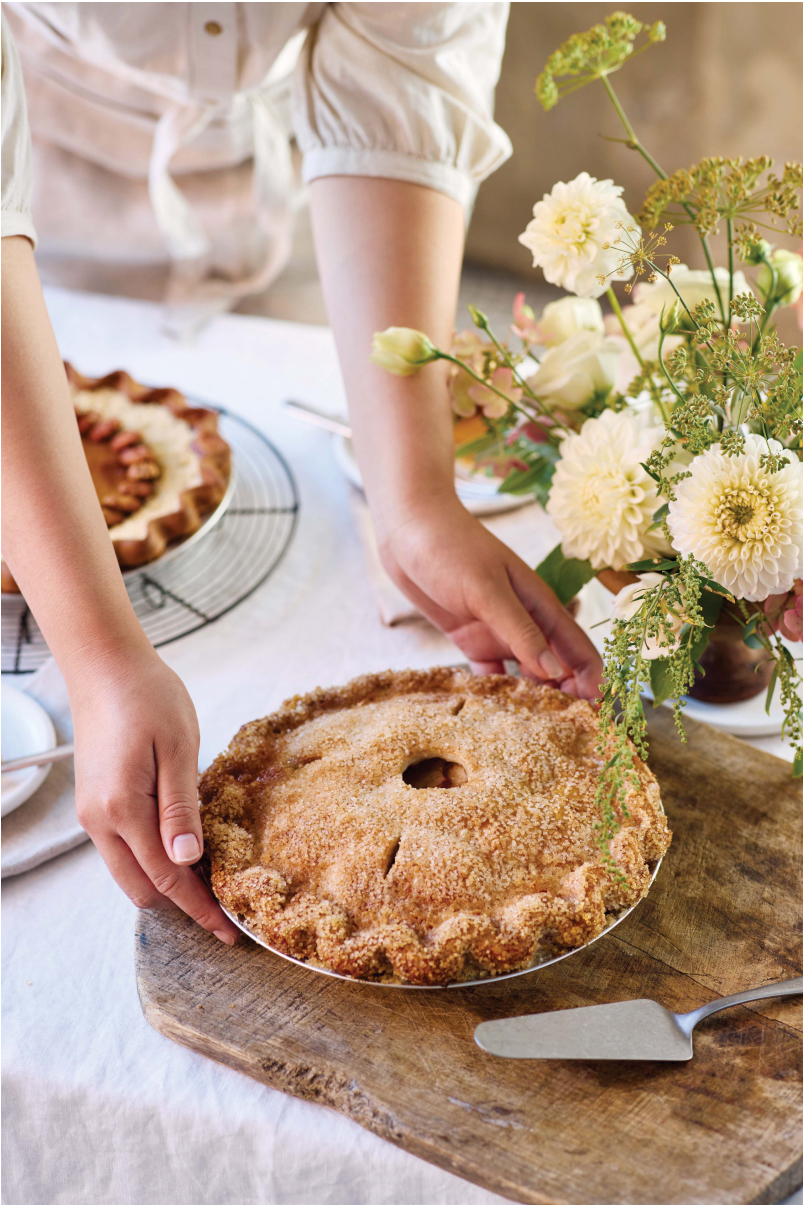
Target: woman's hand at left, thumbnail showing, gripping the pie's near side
[(137, 796)]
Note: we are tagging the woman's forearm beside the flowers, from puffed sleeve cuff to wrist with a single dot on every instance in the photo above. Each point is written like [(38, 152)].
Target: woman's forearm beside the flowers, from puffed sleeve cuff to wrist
[(390, 255)]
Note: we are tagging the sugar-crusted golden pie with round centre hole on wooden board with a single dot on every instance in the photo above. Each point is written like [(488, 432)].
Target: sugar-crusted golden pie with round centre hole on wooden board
[(425, 826)]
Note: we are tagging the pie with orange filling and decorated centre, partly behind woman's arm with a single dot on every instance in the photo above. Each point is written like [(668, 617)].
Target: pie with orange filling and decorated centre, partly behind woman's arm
[(159, 465)]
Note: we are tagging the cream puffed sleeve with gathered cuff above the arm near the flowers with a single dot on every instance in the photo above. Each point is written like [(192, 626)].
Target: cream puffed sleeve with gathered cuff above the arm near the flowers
[(403, 91)]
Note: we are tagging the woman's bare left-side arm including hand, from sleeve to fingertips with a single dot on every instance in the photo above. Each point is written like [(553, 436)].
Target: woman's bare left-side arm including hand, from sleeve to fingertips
[(136, 727)]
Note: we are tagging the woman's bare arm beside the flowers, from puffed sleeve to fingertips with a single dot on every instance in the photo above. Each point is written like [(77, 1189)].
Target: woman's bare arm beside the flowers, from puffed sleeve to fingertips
[(390, 255)]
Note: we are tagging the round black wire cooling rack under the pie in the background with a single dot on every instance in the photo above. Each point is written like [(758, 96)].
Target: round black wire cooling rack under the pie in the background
[(215, 574)]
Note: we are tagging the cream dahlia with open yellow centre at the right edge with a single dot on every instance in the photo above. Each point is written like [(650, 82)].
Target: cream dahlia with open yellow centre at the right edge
[(742, 521)]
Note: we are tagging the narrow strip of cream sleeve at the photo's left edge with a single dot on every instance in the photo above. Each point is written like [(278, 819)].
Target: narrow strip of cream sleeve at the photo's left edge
[(17, 173)]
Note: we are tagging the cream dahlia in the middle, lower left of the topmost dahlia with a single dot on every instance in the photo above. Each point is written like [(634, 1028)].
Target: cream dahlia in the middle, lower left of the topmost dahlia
[(602, 501)]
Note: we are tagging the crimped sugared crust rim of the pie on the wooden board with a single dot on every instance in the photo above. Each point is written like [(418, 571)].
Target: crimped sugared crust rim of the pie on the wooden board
[(465, 947)]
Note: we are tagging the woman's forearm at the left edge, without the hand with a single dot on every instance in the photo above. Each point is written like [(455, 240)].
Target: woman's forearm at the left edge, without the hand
[(55, 539)]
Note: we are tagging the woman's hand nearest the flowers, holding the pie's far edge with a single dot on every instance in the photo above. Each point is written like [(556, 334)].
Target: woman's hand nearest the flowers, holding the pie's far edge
[(487, 599)]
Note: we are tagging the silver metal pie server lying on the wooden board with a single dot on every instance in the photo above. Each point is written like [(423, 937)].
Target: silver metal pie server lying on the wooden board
[(632, 1030)]
